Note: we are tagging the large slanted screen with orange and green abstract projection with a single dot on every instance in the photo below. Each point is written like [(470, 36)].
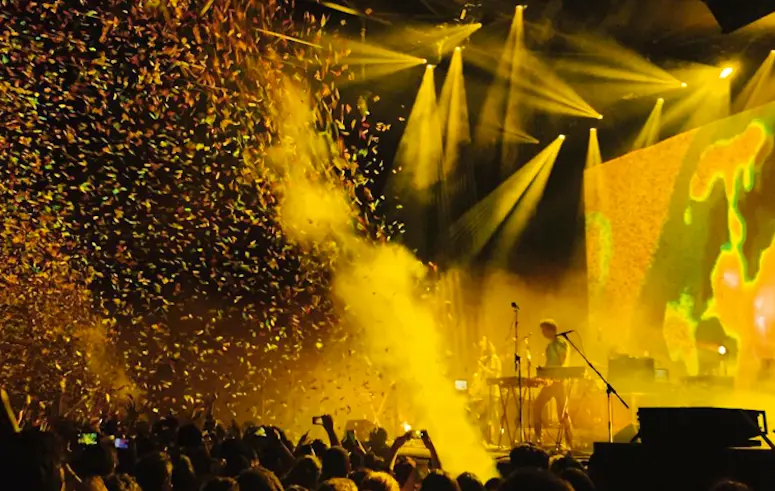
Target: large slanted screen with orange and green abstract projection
[(681, 249)]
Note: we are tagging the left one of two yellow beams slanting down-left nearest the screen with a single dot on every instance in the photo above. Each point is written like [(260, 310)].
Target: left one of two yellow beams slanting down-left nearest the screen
[(474, 230)]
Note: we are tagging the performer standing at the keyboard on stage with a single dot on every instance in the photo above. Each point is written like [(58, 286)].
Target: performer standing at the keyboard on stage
[(556, 356)]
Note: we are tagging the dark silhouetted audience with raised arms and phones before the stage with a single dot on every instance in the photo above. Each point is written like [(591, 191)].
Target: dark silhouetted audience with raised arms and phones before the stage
[(135, 453)]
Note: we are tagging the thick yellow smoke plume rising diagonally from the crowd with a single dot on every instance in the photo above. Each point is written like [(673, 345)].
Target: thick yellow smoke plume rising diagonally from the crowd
[(378, 285)]
